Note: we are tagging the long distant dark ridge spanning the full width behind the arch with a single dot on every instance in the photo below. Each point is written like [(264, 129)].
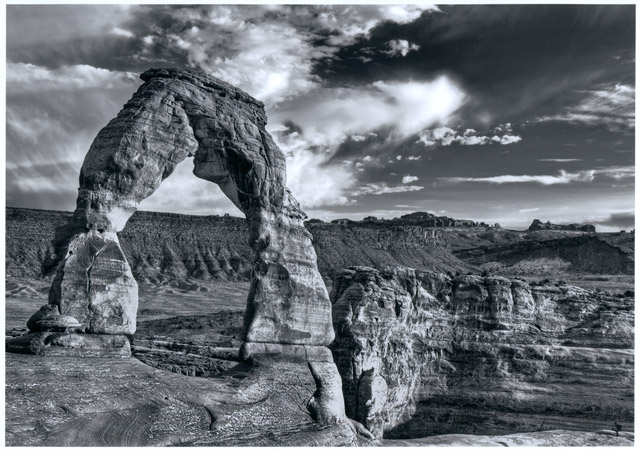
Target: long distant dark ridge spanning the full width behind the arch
[(180, 250)]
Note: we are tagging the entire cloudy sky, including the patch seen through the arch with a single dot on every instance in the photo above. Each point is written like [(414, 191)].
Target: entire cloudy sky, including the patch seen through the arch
[(496, 113)]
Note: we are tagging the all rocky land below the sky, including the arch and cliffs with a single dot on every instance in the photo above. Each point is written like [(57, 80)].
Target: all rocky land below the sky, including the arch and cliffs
[(209, 331)]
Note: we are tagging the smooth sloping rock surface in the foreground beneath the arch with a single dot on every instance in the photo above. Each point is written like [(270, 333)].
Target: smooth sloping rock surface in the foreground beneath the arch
[(52, 401)]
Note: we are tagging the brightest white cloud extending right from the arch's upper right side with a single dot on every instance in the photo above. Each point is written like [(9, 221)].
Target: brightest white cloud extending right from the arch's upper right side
[(326, 119)]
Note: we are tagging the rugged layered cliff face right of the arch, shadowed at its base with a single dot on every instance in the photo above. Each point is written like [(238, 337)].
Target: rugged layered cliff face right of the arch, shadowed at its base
[(421, 353)]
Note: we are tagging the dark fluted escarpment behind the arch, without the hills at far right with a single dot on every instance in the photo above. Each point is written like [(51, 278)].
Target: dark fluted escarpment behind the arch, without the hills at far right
[(165, 248)]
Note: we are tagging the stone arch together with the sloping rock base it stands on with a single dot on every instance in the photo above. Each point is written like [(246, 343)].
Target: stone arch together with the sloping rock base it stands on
[(94, 298)]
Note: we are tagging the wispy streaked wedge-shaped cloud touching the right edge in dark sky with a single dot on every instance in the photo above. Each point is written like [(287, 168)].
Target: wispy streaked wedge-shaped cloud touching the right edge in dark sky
[(612, 106)]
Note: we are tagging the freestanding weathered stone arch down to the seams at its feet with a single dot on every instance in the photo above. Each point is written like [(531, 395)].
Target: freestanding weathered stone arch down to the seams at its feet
[(177, 114)]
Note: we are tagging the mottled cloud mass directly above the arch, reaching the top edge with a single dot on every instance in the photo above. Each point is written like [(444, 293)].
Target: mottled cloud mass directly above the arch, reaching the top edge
[(267, 50)]
